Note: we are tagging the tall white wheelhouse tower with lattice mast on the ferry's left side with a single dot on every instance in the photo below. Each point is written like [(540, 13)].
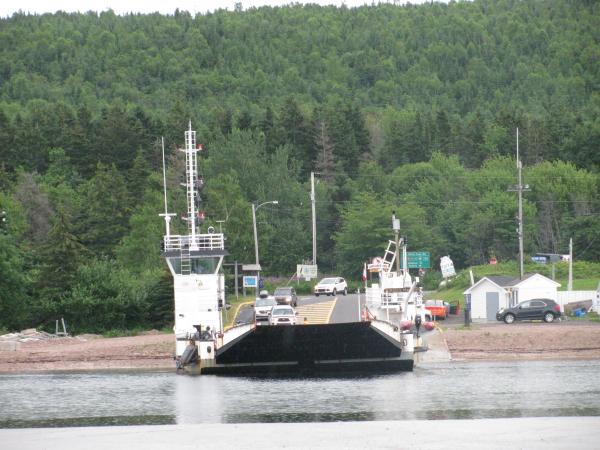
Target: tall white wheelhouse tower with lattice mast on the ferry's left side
[(195, 261)]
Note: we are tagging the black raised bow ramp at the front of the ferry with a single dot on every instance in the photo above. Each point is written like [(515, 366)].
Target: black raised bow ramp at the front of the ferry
[(311, 349)]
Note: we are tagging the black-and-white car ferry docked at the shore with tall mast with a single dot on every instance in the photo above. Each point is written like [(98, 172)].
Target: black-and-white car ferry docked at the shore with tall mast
[(203, 346)]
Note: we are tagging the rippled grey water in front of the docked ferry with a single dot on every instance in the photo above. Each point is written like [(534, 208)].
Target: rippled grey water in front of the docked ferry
[(443, 391)]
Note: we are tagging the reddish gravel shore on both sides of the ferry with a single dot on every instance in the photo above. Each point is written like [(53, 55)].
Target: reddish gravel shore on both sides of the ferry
[(531, 341)]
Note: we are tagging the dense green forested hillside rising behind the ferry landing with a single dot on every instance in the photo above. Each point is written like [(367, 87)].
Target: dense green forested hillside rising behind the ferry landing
[(412, 109)]
